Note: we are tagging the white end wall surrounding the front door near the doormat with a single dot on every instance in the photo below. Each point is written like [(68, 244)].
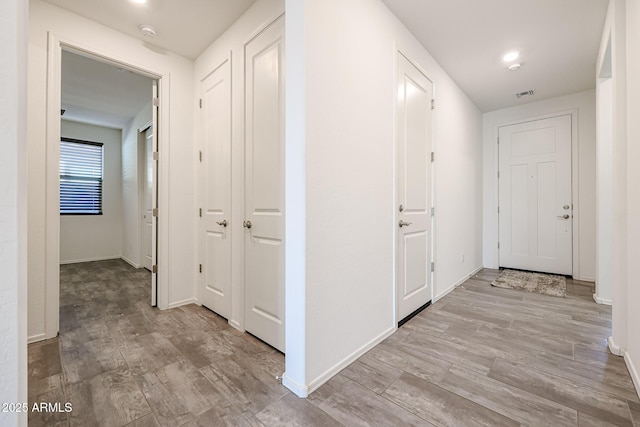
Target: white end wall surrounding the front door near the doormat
[(584, 168)]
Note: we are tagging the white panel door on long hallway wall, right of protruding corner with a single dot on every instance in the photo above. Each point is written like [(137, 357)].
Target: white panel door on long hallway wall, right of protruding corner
[(413, 128)]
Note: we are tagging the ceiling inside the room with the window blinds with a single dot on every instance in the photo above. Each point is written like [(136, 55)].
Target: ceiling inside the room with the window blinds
[(102, 94)]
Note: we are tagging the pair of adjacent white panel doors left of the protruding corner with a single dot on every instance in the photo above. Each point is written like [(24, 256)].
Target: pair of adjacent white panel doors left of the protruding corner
[(261, 231)]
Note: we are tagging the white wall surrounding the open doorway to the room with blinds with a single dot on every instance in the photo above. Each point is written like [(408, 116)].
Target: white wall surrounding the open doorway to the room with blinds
[(177, 205)]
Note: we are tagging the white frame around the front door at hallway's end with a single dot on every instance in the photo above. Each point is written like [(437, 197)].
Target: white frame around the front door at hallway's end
[(574, 182)]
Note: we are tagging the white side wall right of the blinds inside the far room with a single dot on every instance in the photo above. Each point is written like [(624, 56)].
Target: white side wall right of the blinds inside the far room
[(131, 186)]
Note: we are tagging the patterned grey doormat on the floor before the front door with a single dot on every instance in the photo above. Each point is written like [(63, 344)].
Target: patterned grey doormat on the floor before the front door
[(548, 284)]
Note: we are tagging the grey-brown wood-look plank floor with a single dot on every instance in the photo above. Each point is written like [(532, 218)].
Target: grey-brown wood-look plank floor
[(481, 356)]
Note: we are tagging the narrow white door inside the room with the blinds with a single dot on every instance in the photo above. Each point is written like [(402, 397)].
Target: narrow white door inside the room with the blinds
[(147, 216)]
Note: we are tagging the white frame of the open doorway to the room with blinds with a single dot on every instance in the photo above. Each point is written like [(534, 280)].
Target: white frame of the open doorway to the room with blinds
[(55, 45)]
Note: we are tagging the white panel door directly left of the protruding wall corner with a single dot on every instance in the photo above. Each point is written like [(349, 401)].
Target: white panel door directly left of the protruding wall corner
[(264, 197)]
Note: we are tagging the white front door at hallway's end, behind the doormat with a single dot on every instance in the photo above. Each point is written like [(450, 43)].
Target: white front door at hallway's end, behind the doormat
[(535, 207)]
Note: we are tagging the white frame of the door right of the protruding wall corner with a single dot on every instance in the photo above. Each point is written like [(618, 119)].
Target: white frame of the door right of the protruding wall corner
[(399, 50)]
